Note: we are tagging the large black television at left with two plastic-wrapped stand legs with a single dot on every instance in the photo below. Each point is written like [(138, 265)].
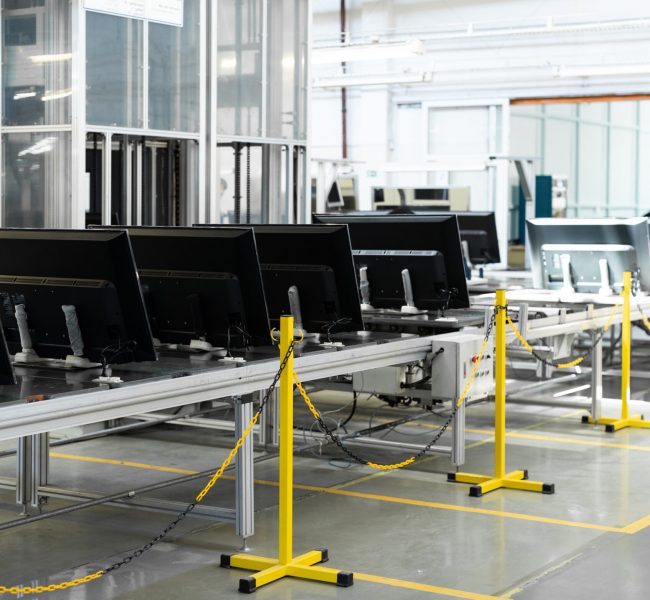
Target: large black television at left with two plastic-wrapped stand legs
[(69, 282)]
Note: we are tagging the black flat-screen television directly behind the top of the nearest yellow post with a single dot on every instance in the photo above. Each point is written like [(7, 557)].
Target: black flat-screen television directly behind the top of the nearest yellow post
[(316, 261)]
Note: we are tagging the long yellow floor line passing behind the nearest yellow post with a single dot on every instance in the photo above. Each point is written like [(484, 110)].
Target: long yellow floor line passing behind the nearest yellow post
[(638, 525)]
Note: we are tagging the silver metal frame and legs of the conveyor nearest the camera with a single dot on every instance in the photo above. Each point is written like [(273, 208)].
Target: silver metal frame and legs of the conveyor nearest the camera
[(32, 422)]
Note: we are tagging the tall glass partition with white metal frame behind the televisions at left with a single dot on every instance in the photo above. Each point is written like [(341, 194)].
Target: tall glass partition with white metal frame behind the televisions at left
[(111, 119)]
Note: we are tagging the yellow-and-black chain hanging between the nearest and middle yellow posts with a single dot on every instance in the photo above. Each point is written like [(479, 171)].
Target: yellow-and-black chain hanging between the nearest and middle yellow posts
[(457, 405)]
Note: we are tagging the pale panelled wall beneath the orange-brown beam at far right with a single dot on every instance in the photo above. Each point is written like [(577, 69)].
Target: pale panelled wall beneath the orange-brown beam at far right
[(603, 148)]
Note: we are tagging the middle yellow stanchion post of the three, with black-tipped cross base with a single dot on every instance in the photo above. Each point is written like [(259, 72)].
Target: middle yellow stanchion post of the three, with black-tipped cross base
[(515, 480)]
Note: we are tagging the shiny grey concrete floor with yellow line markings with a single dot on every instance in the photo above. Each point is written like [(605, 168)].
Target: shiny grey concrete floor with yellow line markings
[(406, 534)]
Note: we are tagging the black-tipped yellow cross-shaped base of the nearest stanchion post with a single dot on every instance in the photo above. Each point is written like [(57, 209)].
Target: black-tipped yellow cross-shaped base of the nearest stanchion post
[(271, 570)]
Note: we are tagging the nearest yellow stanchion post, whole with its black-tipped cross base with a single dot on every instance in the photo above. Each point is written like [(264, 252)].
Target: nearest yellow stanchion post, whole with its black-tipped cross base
[(303, 567)]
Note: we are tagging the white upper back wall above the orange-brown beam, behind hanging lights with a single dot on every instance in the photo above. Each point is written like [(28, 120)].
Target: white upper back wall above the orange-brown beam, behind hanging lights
[(475, 49)]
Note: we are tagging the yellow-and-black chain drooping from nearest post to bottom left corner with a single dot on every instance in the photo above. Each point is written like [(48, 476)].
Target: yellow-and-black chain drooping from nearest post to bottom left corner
[(15, 590)]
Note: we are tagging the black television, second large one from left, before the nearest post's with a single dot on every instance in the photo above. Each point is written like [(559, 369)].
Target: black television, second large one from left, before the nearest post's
[(201, 285)]
